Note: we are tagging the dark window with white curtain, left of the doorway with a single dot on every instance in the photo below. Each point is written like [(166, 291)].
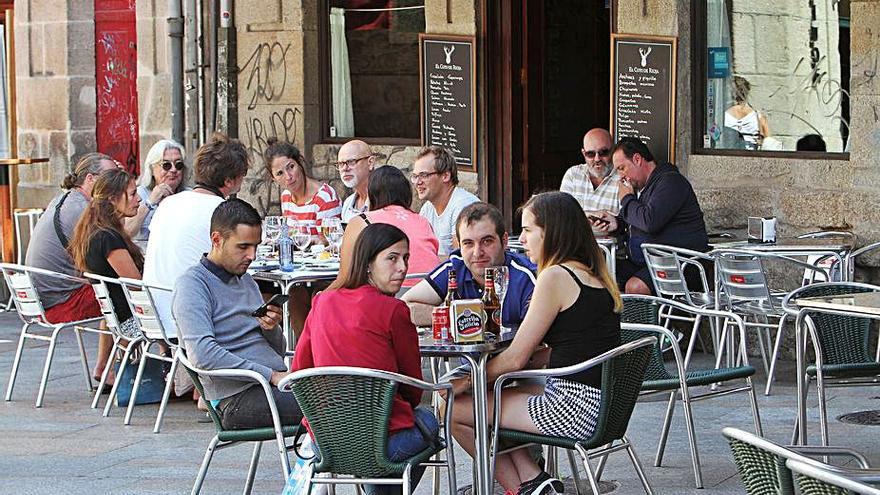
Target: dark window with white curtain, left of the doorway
[(372, 59)]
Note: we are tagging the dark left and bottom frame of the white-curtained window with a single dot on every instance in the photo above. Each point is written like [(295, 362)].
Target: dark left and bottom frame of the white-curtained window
[(325, 90)]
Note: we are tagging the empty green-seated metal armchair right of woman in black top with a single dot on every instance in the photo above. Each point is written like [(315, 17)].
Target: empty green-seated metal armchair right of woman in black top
[(643, 311)]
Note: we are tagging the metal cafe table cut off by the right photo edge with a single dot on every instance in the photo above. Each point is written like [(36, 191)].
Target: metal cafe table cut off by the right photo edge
[(865, 305)]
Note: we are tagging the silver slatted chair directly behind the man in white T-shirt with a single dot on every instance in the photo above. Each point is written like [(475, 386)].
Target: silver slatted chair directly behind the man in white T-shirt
[(140, 299)]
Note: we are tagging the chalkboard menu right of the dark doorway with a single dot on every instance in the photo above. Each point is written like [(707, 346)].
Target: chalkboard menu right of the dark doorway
[(643, 94)]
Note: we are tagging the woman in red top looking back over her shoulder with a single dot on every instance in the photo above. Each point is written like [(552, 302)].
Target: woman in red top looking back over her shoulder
[(357, 321)]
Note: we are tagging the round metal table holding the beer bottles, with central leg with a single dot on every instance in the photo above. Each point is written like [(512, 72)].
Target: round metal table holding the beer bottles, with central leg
[(476, 355)]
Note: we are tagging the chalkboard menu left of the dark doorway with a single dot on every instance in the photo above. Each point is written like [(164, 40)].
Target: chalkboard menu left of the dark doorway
[(448, 95)]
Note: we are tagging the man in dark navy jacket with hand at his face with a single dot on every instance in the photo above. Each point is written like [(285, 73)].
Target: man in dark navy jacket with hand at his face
[(657, 205)]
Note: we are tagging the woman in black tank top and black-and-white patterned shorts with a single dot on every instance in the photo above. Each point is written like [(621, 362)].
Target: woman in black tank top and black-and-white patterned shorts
[(574, 311)]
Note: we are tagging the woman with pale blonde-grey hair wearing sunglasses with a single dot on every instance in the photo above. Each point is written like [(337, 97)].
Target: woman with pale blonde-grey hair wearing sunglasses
[(163, 174)]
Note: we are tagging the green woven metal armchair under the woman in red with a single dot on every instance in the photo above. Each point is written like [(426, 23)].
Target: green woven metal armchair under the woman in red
[(348, 411)]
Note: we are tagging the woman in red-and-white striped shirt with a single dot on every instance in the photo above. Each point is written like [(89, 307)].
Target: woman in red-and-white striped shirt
[(302, 198)]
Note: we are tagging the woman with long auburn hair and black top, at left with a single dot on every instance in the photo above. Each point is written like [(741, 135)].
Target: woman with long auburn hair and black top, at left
[(101, 245)]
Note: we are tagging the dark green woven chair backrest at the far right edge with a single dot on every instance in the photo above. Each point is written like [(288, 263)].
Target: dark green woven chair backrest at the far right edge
[(842, 339)]
